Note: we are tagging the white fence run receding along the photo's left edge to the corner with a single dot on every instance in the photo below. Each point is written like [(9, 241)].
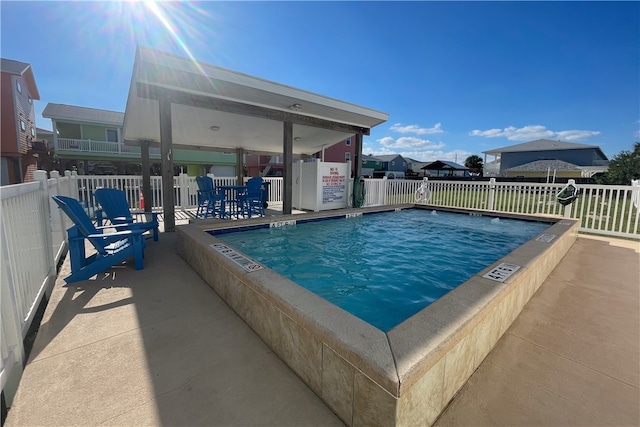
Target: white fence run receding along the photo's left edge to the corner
[(32, 243)]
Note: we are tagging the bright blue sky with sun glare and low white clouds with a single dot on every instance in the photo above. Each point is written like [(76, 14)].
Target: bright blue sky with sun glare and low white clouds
[(456, 78)]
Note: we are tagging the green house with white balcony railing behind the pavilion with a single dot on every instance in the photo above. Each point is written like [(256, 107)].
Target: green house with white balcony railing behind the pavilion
[(90, 140)]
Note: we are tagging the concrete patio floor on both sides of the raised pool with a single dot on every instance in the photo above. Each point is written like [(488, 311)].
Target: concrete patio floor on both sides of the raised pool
[(159, 347)]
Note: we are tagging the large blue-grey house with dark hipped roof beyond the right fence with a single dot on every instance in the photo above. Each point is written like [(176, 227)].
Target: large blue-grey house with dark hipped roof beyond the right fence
[(589, 158)]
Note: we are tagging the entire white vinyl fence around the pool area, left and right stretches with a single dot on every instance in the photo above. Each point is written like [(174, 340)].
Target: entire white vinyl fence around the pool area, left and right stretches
[(33, 230)]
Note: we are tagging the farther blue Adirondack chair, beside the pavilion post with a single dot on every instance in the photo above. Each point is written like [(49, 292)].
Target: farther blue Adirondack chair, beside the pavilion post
[(116, 208)]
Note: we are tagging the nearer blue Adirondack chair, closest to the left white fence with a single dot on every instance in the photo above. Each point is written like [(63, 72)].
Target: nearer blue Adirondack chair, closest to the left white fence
[(112, 248)]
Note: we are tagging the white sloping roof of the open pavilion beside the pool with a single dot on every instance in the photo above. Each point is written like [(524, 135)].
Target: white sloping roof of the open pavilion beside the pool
[(217, 108)]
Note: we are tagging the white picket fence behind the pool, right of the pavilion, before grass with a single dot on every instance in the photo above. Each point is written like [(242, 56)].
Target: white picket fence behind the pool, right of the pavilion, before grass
[(603, 209)]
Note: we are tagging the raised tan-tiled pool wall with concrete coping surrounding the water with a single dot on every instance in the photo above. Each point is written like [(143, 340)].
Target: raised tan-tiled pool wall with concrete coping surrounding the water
[(405, 376)]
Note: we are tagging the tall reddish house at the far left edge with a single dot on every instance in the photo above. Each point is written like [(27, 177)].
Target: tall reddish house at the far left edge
[(18, 90)]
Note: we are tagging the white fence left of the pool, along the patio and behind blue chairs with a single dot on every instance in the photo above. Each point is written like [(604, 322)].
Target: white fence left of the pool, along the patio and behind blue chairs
[(33, 233)]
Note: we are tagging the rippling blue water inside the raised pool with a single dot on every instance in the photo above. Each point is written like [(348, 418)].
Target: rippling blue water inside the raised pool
[(385, 267)]
